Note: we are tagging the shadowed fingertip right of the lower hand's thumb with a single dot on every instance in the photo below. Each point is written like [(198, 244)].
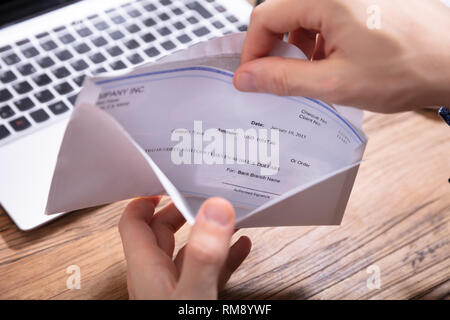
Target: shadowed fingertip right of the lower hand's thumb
[(238, 252)]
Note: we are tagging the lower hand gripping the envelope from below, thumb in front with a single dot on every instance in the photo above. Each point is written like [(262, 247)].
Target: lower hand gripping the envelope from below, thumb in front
[(200, 268)]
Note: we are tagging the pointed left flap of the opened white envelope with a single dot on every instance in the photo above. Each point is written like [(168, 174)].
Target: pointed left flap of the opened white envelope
[(94, 141)]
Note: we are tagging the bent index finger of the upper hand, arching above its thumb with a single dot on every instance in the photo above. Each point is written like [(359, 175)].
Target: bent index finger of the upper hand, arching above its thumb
[(276, 17)]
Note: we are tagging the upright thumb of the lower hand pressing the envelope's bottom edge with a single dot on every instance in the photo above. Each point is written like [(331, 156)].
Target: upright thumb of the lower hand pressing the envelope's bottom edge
[(207, 250)]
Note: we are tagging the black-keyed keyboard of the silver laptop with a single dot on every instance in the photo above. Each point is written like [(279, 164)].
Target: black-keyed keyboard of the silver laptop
[(41, 76)]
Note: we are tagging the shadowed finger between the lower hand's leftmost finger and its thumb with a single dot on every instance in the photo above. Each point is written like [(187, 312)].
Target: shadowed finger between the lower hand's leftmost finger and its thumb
[(164, 224)]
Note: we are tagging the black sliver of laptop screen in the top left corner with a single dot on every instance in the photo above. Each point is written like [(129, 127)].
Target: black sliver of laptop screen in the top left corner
[(12, 11)]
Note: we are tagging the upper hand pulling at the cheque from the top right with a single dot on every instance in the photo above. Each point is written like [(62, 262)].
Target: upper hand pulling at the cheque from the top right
[(403, 65)]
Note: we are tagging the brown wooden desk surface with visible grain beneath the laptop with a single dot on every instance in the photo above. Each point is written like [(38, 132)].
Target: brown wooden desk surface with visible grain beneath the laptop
[(397, 218)]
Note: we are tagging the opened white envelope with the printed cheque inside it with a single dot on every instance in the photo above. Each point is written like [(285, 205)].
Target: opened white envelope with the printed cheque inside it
[(179, 127)]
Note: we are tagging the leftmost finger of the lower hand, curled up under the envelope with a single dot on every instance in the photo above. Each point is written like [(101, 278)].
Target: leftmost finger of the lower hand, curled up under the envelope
[(151, 271)]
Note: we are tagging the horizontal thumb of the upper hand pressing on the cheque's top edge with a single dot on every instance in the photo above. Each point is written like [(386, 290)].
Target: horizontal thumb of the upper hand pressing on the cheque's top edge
[(289, 77)]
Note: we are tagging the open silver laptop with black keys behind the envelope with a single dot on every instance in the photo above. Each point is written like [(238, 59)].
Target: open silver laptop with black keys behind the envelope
[(47, 48)]
